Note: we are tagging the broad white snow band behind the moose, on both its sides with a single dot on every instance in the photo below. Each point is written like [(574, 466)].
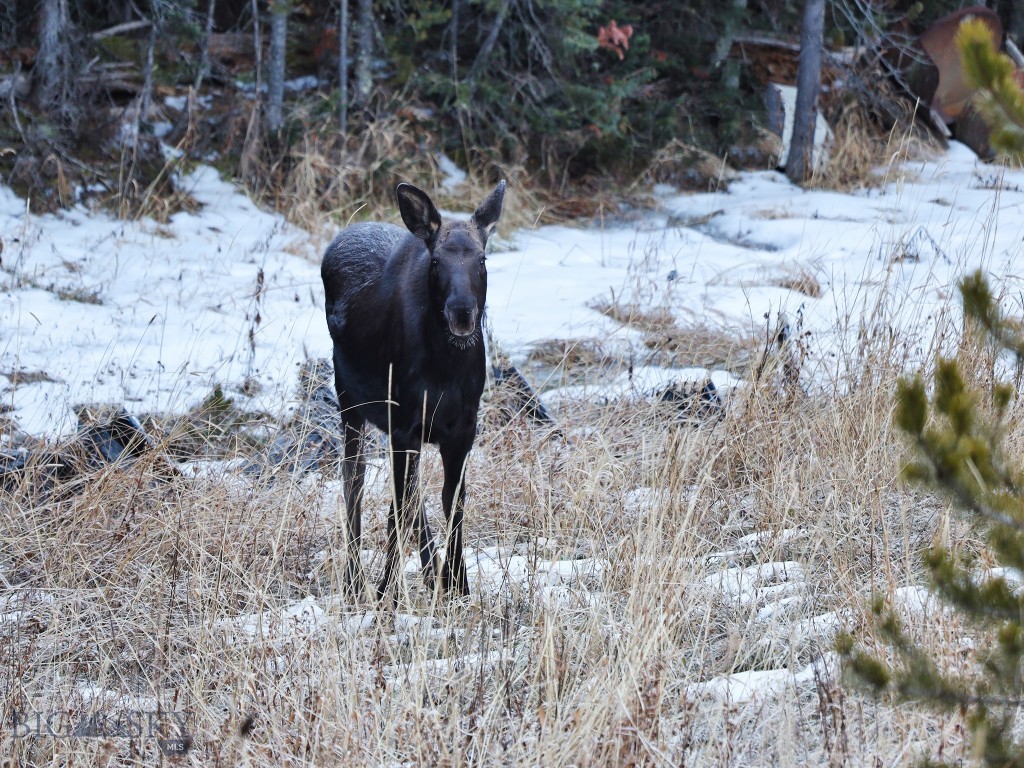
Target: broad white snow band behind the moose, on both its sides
[(154, 316)]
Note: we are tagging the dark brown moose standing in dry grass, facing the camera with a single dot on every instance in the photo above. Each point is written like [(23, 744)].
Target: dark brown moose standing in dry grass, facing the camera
[(405, 311)]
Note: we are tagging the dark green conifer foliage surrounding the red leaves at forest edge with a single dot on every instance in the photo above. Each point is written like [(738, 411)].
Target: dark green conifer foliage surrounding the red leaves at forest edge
[(544, 93)]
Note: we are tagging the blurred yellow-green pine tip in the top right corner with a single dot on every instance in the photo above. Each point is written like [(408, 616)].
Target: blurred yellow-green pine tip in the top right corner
[(1000, 99)]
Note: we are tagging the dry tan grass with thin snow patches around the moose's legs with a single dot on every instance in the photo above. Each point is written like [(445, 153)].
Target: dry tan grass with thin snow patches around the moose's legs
[(600, 639)]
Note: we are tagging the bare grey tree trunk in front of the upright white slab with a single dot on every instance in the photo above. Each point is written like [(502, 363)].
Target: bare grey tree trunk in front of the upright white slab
[(805, 113)]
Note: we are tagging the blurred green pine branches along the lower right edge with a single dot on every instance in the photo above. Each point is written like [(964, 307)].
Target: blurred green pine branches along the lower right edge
[(958, 436)]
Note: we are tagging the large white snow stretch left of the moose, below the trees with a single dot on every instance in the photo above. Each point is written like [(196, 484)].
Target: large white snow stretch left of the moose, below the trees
[(152, 316)]
